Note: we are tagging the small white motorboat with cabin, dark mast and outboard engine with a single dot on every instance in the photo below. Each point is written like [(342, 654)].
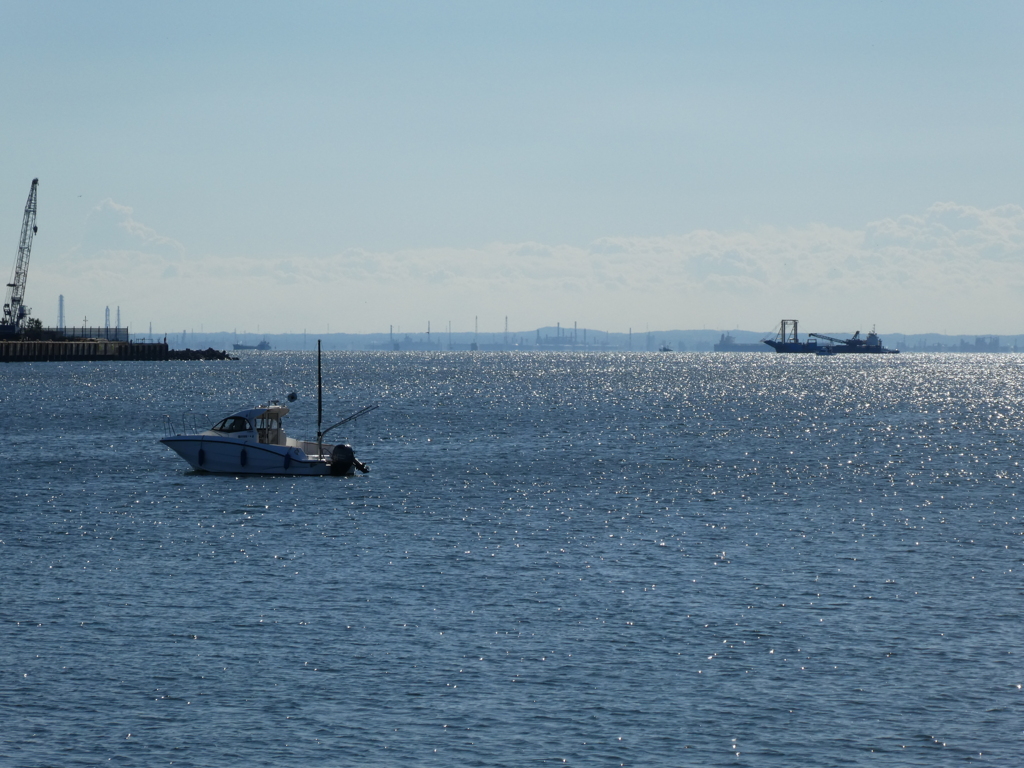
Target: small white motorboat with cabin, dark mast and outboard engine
[(253, 442)]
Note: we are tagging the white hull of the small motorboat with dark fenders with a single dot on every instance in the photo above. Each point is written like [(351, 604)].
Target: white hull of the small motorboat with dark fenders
[(232, 456)]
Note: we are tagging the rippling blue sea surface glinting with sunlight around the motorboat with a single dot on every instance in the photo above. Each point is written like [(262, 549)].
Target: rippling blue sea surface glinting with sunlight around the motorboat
[(558, 560)]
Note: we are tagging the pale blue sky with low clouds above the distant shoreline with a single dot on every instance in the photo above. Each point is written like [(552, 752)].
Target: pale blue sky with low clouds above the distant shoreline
[(236, 166)]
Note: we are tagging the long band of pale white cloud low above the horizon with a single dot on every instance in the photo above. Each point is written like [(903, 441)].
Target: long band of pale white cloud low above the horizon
[(952, 268)]
